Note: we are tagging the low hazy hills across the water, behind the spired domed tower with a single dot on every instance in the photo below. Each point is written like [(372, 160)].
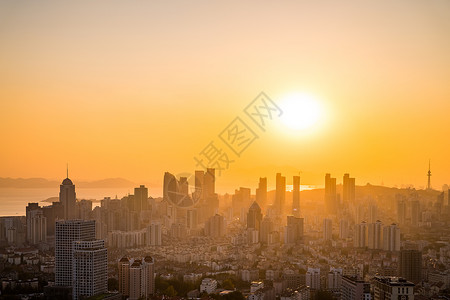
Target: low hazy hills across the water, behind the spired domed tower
[(45, 183)]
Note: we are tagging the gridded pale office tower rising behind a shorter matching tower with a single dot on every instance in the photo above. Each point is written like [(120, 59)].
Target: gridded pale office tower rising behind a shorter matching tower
[(67, 232)]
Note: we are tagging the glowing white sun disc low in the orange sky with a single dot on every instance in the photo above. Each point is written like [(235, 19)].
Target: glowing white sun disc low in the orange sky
[(300, 111)]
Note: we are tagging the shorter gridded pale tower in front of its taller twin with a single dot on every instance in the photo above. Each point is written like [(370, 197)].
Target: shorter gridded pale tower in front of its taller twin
[(90, 268)]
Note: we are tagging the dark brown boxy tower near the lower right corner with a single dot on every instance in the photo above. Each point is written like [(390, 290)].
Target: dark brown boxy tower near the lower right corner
[(410, 265)]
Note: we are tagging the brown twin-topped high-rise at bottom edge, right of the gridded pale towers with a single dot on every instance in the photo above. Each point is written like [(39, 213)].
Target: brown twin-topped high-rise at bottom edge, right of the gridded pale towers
[(141, 278)]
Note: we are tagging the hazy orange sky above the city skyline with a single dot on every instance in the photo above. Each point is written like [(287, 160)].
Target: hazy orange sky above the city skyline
[(135, 88)]
